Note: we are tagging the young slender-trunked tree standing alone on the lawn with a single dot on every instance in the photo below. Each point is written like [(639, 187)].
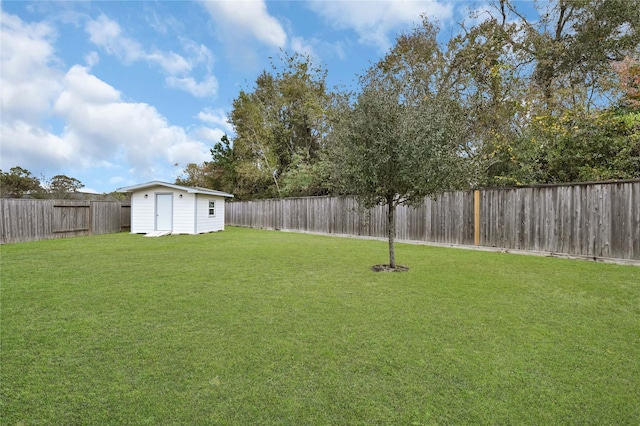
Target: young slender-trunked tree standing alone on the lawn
[(405, 138)]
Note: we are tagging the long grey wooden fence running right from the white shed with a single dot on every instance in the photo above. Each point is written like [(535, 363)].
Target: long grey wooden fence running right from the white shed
[(600, 220)]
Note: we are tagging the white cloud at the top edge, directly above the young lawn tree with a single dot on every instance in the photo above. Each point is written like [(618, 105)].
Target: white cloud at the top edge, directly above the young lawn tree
[(375, 21)]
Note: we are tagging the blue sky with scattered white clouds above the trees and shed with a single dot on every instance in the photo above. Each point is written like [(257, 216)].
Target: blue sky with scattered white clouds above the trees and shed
[(119, 93)]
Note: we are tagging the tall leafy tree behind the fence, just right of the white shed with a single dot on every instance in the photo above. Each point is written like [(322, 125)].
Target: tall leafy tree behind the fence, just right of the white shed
[(281, 127)]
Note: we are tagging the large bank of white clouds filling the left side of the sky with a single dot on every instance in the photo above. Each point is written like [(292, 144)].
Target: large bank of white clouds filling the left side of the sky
[(98, 129)]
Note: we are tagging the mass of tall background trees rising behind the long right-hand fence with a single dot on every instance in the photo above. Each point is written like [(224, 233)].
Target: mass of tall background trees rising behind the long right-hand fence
[(550, 98)]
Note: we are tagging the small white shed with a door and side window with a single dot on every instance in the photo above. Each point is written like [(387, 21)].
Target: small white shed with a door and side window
[(160, 207)]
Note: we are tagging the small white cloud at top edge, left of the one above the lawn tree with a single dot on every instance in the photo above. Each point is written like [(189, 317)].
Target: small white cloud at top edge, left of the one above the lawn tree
[(247, 18)]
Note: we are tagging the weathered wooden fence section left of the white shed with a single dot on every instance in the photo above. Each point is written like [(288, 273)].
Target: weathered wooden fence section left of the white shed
[(31, 220)]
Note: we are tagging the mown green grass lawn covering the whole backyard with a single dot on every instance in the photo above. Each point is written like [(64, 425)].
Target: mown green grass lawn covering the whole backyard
[(249, 327)]
